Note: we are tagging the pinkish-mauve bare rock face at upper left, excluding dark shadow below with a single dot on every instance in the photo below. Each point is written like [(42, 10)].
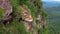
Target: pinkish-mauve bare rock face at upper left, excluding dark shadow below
[(5, 4)]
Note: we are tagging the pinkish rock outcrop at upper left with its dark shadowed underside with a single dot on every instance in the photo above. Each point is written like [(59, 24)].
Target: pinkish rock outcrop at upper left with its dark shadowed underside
[(5, 4)]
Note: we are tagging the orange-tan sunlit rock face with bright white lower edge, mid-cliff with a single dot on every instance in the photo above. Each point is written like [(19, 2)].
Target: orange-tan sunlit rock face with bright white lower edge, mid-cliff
[(26, 15)]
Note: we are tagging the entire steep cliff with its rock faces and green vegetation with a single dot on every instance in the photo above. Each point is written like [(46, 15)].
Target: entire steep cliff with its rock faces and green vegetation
[(22, 16)]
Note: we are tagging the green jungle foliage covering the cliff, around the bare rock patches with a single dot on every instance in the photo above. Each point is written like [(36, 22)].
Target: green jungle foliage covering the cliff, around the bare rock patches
[(34, 8)]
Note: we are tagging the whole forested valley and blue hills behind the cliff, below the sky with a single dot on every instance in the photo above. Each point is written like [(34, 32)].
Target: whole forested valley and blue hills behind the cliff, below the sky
[(53, 9)]
